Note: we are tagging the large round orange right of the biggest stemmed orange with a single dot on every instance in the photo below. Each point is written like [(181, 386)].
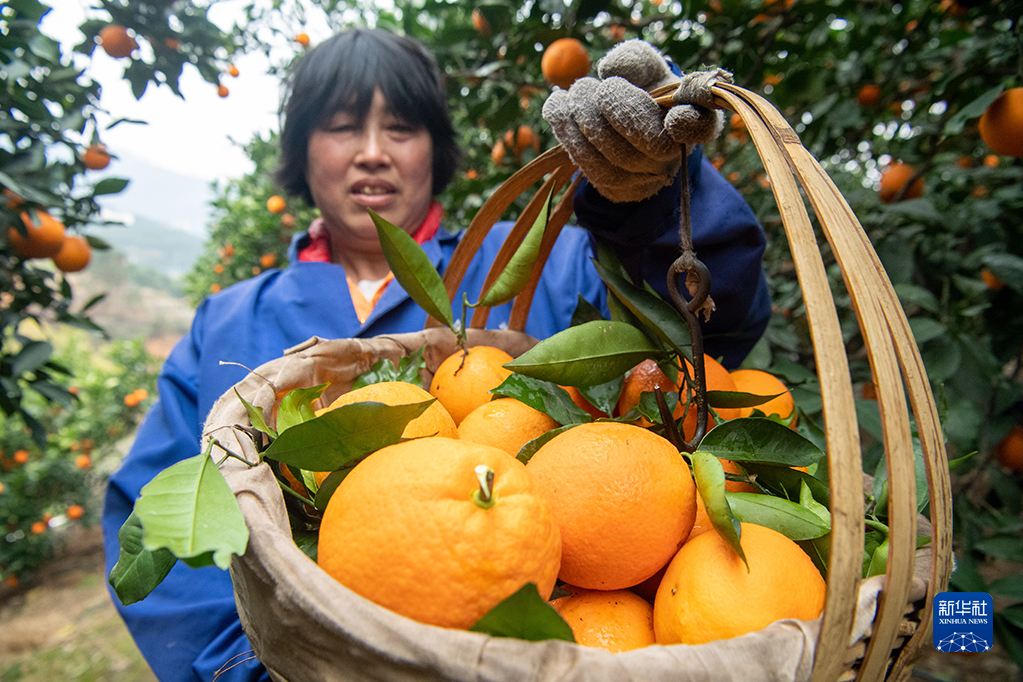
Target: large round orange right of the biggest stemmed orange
[(624, 497)]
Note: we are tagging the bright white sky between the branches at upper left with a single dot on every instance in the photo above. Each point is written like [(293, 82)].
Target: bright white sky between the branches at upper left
[(191, 137)]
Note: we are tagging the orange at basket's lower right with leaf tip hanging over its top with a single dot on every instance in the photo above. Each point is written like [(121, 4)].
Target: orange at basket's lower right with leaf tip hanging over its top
[(708, 595)]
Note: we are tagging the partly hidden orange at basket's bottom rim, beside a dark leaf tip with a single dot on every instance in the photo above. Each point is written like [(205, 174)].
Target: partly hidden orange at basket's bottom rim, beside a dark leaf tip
[(613, 620)]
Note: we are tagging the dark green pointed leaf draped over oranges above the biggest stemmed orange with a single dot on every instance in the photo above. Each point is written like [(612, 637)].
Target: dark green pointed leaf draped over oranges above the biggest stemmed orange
[(343, 435)]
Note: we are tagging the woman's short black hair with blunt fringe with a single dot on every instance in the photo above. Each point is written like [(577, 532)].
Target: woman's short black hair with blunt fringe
[(341, 75)]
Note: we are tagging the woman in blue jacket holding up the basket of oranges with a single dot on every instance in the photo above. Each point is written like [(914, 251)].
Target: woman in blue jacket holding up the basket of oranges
[(366, 126)]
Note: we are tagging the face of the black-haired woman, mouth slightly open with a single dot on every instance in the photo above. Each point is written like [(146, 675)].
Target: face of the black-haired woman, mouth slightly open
[(384, 164)]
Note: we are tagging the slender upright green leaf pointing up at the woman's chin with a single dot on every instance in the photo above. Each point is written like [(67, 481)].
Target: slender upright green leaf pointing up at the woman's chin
[(413, 269)]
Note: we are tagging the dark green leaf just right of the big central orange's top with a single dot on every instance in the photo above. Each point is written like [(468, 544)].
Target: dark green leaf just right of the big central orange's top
[(761, 440)]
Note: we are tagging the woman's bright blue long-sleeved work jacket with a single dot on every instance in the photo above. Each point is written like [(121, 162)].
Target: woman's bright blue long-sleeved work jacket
[(189, 627)]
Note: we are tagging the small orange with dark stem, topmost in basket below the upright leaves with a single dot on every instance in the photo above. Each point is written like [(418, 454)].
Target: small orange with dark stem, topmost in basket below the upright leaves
[(465, 380)]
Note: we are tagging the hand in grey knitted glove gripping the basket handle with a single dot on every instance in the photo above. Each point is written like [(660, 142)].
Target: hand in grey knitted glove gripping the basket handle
[(628, 146)]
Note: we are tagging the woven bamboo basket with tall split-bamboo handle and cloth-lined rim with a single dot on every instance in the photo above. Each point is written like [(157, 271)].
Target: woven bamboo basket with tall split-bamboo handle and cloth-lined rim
[(902, 621)]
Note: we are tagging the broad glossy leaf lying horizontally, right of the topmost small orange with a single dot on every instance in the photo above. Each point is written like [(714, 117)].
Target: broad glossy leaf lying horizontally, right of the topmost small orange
[(590, 354)]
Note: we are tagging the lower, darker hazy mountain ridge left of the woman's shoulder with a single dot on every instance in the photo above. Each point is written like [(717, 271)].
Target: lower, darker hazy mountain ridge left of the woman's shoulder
[(147, 244)]
